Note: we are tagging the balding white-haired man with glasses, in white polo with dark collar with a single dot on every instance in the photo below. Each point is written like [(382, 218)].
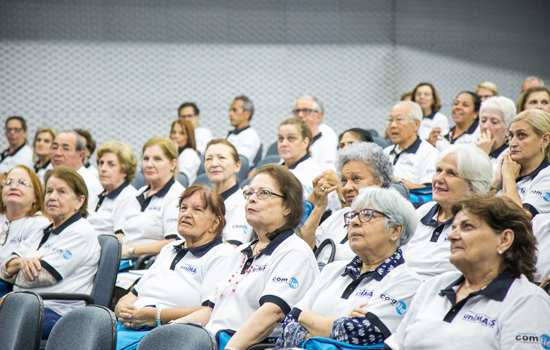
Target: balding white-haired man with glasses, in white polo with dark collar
[(413, 158)]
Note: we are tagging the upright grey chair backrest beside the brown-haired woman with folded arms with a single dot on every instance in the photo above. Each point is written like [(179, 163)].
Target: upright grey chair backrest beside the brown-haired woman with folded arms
[(105, 278)]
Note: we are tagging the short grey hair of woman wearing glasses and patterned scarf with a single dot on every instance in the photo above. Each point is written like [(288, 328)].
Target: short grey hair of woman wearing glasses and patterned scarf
[(388, 201)]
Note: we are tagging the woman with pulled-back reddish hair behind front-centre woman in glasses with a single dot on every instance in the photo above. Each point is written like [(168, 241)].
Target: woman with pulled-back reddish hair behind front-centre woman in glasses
[(222, 164)]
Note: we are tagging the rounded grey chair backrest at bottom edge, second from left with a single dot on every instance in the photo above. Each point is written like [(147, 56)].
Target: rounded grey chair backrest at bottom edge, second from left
[(85, 328)]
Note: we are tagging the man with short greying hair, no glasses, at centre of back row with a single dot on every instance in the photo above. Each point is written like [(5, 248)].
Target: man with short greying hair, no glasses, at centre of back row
[(243, 136)]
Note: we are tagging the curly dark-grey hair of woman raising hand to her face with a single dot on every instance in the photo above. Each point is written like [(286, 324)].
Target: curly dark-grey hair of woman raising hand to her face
[(372, 155)]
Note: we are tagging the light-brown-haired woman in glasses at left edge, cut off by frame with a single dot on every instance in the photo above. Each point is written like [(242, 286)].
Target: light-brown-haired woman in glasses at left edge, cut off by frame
[(22, 201)]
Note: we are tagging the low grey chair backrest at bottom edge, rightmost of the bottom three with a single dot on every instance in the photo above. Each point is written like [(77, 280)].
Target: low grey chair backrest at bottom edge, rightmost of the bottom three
[(177, 337)]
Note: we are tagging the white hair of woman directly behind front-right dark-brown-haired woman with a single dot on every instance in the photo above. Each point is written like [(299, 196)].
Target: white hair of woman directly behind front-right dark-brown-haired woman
[(473, 165)]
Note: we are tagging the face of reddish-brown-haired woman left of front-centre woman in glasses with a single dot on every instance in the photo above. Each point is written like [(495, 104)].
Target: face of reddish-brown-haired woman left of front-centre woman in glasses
[(195, 221)]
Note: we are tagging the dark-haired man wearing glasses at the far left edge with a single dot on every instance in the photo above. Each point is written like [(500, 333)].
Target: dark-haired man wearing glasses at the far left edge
[(18, 152)]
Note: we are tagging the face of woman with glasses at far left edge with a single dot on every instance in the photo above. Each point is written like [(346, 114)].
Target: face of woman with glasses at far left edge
[(17, 190)]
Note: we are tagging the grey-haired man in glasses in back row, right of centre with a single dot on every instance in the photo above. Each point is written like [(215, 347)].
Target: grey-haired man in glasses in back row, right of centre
[(324, 143)]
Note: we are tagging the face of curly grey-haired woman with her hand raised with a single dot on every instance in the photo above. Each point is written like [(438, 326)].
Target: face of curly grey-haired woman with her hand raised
[(355, 176)]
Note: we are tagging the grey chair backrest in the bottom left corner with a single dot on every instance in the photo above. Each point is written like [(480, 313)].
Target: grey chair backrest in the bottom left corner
[(21, 321)]
